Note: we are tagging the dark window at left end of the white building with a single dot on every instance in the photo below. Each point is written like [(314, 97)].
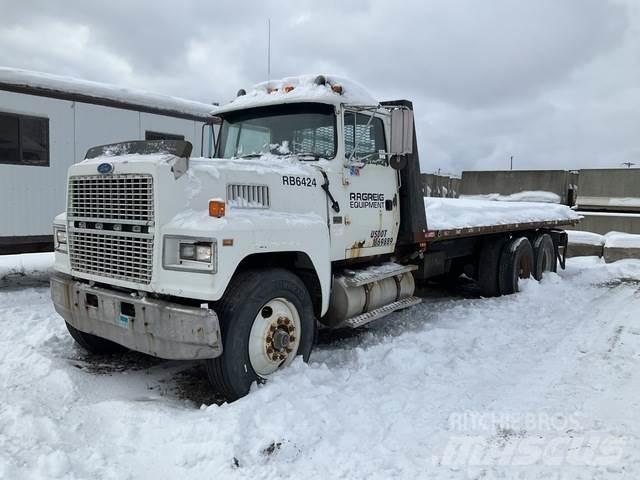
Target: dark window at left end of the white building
[(24, 140)]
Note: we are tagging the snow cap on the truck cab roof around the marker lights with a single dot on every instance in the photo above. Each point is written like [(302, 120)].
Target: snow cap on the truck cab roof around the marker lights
[(303, 88)]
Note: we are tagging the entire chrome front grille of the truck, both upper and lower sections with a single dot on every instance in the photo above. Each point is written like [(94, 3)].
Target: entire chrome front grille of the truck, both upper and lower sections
[(97, 205)]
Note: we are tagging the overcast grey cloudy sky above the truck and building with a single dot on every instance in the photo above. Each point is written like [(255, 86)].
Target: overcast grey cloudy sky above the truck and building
[(555, 83)]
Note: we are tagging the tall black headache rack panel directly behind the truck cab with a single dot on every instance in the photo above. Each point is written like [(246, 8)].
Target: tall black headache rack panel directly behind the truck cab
[(413, 218)]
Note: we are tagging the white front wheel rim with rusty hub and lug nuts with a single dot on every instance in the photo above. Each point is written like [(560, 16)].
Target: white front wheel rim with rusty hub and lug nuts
[(275, 336)]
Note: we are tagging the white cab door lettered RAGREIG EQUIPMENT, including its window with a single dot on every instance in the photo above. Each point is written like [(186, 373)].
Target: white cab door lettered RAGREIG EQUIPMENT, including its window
[(369, 187)]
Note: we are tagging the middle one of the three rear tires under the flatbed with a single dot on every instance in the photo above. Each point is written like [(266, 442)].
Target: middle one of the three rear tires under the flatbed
[(516, 262)]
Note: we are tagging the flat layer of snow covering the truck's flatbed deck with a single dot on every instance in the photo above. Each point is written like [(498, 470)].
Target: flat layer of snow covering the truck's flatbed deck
[(457, 213)]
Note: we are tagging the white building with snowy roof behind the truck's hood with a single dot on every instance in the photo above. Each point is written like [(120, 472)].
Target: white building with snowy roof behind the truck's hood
[(48, 122)]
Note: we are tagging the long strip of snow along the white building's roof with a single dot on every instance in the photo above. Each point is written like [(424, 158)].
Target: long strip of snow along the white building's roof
[(58, 83)]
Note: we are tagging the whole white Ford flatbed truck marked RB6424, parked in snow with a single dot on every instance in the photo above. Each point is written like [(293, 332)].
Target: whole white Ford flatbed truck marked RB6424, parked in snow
[(309, 217)]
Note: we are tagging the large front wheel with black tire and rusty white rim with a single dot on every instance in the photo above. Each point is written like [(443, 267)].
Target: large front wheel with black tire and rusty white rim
[(267, 319)]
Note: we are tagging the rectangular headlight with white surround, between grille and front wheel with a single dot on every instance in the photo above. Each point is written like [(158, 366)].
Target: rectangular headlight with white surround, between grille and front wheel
[(190, 254)]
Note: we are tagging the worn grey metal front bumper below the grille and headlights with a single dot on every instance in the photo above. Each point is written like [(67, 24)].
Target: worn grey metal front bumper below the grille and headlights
[(155, 327)]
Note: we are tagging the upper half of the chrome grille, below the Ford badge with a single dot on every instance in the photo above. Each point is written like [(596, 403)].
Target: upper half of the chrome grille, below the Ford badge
[(125, 198)]
